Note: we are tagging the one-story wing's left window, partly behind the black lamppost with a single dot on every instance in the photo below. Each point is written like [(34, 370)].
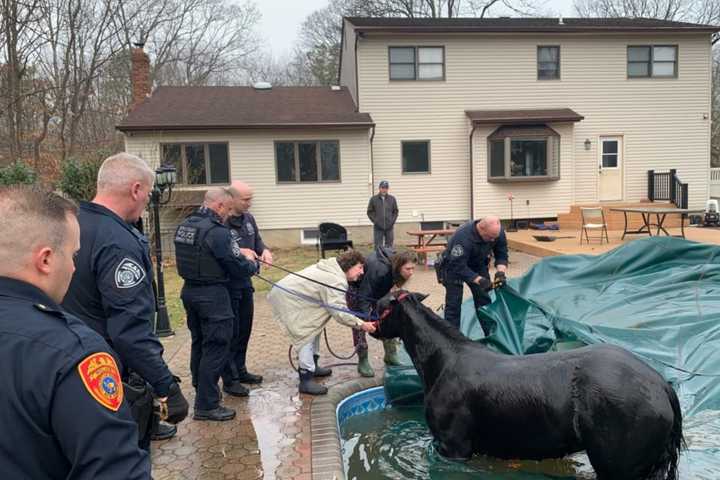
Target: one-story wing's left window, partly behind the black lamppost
[(198, 163)]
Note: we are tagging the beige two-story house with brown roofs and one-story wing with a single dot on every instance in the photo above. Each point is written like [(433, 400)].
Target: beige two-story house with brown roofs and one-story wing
[(457, 114)]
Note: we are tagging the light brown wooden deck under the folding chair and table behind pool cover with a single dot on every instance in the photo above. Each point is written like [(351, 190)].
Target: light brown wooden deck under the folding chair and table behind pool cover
[(523, 240)]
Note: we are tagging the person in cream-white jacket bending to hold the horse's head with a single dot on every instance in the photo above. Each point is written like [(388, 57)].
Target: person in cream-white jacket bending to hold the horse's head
[(305, 312)]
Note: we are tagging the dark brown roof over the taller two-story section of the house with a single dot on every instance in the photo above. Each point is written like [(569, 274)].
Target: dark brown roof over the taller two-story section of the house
[(500, 25)]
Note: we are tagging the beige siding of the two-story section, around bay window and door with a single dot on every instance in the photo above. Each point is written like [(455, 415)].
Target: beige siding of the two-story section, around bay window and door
[(660, 119)]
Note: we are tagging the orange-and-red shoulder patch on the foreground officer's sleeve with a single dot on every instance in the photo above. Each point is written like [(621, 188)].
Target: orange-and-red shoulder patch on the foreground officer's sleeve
[(101, 378)]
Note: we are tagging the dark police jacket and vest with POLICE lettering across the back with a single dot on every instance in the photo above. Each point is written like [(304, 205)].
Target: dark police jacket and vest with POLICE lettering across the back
[(206, 254)]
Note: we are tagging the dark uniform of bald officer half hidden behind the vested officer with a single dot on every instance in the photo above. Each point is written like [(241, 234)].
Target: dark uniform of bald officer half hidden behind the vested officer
[(245, 233)]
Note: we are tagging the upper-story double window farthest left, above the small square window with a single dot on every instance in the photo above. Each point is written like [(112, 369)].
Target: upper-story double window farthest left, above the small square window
[(417, 63)]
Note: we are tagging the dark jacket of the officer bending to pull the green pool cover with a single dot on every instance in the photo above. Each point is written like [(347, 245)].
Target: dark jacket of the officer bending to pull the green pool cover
[(468, 255)]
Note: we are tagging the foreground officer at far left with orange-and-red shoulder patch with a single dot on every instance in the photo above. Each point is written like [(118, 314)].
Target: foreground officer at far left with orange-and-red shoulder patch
[(61, 398)]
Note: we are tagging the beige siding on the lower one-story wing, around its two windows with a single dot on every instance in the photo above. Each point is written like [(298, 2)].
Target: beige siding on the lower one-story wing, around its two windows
[(252, 160)]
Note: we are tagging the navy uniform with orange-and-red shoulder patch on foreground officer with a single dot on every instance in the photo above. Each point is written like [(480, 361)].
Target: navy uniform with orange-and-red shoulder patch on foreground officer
[(61, 398)]
